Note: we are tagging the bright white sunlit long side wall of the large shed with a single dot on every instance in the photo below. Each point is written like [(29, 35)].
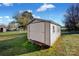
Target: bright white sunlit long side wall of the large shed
[(54, 35)]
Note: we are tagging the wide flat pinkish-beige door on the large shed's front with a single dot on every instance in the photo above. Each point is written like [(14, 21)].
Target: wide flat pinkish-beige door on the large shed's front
[(37, 32)]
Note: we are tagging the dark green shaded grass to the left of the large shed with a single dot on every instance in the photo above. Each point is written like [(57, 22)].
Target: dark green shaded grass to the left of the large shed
[(17, 46)]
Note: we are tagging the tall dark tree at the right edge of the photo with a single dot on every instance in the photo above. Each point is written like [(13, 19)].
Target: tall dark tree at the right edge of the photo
[(72, 18)]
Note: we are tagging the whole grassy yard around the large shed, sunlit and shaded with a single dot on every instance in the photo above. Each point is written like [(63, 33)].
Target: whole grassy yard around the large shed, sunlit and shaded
[(16, 43)]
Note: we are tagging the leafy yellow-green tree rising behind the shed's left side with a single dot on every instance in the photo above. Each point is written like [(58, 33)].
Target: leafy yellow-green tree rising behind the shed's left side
[(23, 18)]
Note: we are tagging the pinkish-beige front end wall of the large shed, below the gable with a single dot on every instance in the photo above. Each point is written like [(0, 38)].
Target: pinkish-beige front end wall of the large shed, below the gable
[(39, 32)]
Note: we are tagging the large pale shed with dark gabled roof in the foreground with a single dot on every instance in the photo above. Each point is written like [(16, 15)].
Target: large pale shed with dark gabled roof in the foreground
[(43, 32)]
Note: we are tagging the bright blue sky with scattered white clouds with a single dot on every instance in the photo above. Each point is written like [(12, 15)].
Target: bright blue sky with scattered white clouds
[(51, 11)]
